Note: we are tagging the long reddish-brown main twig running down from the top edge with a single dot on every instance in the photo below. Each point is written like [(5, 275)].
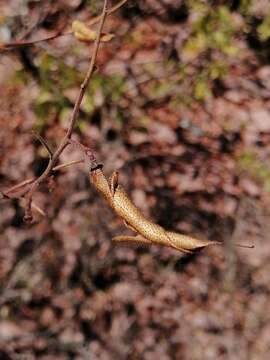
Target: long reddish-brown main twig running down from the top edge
[(29, 195)]
